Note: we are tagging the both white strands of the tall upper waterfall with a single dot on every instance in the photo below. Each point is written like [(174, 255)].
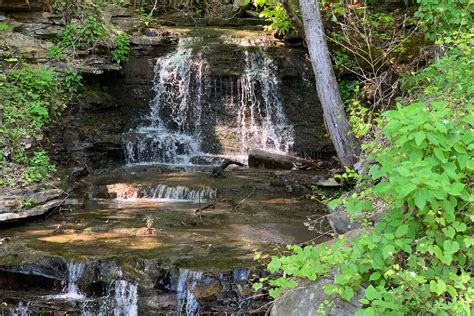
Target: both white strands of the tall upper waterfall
[(174, 130)]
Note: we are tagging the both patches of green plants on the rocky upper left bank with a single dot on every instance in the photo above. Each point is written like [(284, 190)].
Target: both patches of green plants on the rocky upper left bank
[(33, 96)]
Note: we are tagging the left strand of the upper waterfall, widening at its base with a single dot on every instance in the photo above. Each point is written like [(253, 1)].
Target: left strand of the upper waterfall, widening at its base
[(178, 86)]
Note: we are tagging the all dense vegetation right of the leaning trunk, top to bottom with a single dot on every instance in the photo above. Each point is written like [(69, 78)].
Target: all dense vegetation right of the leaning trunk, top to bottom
[(414, 254)]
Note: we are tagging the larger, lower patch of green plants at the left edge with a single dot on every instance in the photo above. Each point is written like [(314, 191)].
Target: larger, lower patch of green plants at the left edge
[(31, 97)]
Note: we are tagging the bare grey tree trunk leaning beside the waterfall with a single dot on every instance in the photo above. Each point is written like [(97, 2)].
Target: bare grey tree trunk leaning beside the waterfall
[(347, 146)]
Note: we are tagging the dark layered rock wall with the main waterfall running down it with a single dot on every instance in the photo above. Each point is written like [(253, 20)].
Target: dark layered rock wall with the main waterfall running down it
[(231, 87)]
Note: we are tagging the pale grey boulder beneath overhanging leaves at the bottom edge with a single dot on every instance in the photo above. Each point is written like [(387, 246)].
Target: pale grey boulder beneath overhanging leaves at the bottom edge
[(307, 298)]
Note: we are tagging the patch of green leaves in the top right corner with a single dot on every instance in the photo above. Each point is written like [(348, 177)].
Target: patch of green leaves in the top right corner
[(442, 17)]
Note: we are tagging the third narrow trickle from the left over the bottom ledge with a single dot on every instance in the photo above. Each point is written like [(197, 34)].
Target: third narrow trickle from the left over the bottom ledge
[(187, 303)]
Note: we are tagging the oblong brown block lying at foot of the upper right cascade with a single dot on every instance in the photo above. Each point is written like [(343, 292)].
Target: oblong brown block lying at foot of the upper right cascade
[(265, 159)]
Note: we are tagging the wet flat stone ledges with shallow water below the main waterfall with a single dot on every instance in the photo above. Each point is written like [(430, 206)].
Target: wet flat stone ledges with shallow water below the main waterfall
[(155, 253)]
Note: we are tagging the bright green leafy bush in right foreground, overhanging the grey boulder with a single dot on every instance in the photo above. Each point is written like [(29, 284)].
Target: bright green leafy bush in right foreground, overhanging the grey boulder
[(418, 258)]
